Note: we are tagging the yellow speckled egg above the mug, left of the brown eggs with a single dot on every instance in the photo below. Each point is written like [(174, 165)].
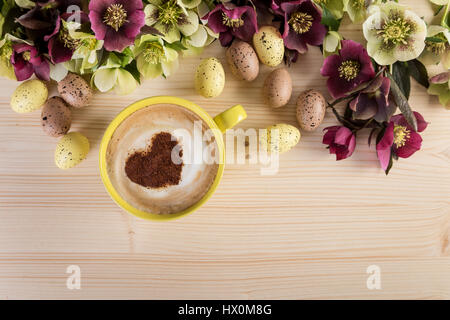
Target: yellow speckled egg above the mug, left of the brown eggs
[(209, 78)]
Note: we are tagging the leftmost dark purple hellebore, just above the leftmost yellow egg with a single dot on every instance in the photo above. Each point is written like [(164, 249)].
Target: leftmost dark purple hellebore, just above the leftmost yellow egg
[(26, 61)]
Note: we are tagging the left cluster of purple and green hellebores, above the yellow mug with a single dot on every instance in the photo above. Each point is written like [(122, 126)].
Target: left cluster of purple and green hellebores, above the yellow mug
[(117, 42)]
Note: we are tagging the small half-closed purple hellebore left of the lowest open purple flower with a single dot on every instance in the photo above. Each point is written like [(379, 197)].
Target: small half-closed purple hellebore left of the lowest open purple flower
[(340, 140)]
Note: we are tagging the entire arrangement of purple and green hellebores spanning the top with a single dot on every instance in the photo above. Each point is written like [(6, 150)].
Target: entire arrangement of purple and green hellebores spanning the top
[(120, 42)]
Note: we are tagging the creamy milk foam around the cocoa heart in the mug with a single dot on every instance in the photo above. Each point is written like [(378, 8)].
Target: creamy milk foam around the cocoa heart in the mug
[(135, 134)]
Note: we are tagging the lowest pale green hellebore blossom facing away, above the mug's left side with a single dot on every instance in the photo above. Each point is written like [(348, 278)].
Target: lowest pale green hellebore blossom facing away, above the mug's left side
[(112, 75)]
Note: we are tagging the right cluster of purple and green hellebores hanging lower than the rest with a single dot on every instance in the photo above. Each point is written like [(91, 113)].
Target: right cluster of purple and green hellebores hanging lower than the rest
[(374, 82)]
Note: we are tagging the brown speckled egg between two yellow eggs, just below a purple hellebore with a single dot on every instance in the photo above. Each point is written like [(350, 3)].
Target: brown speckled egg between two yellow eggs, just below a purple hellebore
[(243, 61)]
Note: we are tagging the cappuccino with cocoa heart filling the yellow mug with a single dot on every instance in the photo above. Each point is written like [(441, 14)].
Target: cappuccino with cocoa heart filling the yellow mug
[(153, 167)]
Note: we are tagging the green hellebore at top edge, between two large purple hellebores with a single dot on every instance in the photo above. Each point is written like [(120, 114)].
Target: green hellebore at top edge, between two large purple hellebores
[(171, 19)]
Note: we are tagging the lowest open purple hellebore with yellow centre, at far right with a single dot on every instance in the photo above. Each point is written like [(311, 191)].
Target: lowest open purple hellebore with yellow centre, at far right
[(400, 138)]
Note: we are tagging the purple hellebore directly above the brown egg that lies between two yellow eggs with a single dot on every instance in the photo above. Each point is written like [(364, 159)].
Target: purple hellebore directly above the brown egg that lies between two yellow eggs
[(231, 21)]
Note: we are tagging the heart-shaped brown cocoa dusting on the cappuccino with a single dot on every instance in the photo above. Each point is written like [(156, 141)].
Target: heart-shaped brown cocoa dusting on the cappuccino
[(154, 168)]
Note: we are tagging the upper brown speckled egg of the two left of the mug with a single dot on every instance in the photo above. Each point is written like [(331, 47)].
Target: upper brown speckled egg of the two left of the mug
[(75, 90)]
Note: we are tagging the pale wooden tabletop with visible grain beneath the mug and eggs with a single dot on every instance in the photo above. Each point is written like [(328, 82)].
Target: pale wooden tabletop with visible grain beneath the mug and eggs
[(308, 232)]
